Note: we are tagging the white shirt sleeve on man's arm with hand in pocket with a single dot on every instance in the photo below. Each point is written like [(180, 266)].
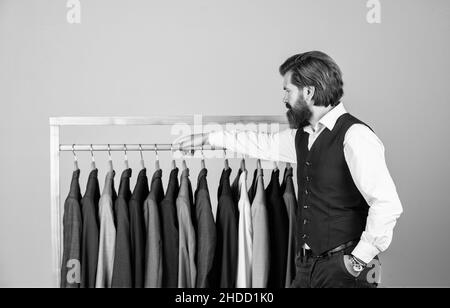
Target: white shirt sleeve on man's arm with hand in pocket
[(364, 153)]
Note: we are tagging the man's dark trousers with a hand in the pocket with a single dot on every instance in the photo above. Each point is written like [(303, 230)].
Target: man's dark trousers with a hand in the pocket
[(330, 272)]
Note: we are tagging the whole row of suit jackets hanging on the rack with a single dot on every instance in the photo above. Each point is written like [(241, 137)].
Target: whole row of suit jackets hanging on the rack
[(148, 238)]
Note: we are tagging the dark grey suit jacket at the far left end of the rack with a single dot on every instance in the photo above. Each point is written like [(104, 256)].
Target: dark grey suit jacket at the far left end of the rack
[(73, 225)]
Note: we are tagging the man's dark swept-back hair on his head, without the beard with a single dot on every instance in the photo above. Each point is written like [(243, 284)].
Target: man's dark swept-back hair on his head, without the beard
[(317, 69)]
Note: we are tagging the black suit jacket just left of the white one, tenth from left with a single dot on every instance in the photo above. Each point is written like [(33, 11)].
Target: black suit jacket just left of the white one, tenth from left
[(227, 234)]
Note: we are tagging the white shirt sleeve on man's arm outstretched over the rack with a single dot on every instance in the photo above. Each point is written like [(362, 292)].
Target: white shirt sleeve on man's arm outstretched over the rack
[(278, 146)]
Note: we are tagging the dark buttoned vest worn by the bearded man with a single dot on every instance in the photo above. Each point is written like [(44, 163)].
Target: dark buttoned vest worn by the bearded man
[(331, 210)]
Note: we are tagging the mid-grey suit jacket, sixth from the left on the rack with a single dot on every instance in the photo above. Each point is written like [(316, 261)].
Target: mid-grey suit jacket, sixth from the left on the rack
[(153, 250)]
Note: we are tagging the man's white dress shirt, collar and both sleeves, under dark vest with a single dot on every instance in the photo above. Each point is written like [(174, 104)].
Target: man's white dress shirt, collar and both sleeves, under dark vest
[(364, 154)]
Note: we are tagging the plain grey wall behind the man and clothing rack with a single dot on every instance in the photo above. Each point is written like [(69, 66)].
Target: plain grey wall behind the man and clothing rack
[(142, 58)]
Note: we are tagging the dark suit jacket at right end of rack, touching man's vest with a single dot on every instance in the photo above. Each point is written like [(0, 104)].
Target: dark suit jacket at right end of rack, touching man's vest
[(287, 188)]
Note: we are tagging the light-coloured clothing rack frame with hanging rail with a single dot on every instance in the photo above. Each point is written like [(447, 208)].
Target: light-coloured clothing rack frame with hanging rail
[(57, 123)]
